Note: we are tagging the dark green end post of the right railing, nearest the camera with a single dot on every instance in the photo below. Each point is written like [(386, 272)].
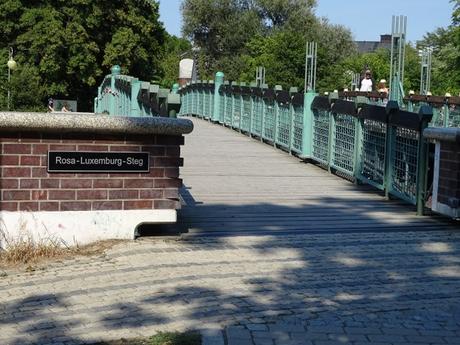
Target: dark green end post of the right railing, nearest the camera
[(426, 114)]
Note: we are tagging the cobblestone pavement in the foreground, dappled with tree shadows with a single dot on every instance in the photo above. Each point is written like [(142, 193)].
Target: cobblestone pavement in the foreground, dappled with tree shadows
[(394, 288)]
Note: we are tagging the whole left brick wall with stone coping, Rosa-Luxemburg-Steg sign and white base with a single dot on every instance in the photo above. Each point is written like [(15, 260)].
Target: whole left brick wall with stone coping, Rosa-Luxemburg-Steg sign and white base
[(123, 172)]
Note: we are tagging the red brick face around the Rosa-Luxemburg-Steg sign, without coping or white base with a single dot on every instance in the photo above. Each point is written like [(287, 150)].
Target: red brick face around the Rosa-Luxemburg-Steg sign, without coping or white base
[(25, 184)]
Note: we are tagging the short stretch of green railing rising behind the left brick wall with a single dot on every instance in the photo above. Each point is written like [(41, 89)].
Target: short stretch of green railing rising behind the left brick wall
[(123, 95)]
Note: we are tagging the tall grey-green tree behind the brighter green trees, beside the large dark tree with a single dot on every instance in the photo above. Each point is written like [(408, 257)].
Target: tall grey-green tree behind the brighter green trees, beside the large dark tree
[(225, 31)]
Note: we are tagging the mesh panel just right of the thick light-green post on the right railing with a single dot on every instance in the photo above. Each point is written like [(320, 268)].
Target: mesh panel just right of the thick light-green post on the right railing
[(320, 135)]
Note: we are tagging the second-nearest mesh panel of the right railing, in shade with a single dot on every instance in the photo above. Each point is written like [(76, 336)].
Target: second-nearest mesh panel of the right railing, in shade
[(373, 151)]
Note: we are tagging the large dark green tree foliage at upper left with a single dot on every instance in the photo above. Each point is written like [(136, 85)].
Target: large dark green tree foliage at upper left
[(70, 44)]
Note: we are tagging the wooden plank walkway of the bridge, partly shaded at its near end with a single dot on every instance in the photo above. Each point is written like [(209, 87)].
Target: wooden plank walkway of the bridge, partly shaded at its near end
[(235, 185)]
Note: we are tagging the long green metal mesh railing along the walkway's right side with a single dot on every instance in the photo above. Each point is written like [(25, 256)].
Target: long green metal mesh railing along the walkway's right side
[(360, 140)]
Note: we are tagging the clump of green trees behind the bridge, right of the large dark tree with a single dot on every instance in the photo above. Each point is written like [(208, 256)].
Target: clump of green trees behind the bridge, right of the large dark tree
[(236, 36)]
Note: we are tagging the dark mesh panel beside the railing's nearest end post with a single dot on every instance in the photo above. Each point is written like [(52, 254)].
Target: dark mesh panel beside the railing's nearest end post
[(404, 164)]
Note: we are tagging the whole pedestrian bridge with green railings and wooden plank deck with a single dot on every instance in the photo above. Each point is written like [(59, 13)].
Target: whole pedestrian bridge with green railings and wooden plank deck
[(264, 160)]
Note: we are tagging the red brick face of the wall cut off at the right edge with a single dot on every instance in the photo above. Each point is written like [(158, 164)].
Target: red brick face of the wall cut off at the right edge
[(449, 172)]
